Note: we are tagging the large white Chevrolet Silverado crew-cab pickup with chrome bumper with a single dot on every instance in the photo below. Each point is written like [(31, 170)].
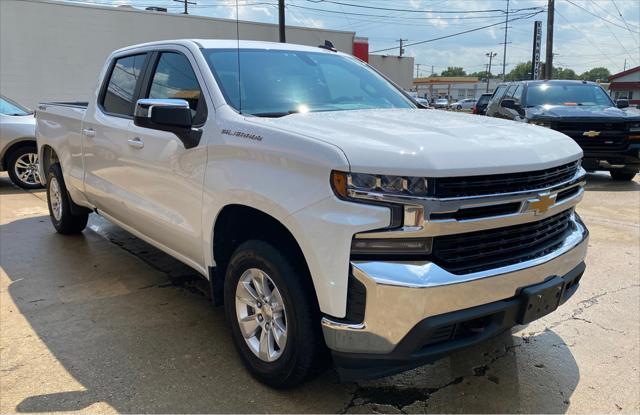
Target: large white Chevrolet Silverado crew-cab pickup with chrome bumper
[(327, 210)]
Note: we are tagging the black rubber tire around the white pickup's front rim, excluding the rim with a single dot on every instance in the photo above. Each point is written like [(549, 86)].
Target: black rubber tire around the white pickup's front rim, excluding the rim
[(304, 351)]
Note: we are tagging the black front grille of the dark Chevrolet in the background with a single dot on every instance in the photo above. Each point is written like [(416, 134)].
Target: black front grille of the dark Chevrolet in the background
[(612, 135)]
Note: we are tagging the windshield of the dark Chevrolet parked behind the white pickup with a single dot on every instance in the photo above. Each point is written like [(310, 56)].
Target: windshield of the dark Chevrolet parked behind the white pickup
[(568, 94)]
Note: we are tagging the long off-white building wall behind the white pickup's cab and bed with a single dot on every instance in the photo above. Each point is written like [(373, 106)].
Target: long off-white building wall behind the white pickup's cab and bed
[(54, 51)]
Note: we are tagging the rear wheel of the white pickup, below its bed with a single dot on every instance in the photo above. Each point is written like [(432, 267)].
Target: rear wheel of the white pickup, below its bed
[(63, 219)]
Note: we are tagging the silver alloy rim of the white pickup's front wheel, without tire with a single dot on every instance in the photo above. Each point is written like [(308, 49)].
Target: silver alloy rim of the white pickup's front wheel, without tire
[(261, 315)]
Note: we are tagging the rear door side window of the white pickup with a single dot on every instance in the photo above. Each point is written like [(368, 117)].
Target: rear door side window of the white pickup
[(123, 80)]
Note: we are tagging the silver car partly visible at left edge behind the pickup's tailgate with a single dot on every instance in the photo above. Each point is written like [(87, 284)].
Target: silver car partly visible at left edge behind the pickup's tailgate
[(18, 151)]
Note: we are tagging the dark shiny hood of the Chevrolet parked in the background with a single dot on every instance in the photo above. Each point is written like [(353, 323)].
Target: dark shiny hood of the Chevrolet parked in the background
[(595, 113)]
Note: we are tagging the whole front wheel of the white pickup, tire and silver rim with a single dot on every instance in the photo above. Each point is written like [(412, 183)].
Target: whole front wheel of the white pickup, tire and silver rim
[(273, 315)]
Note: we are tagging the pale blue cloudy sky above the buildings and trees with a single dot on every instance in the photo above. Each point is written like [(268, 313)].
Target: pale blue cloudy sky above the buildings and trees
[(588, 33)]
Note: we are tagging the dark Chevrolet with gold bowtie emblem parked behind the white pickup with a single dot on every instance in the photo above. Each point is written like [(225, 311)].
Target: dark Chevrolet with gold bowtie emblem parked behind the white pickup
[(609, 136)]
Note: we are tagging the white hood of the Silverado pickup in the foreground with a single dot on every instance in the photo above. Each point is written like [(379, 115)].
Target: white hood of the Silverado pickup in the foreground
[(418, 142)]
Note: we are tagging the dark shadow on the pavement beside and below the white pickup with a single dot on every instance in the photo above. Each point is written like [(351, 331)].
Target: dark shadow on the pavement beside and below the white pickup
[(140, 340)]
